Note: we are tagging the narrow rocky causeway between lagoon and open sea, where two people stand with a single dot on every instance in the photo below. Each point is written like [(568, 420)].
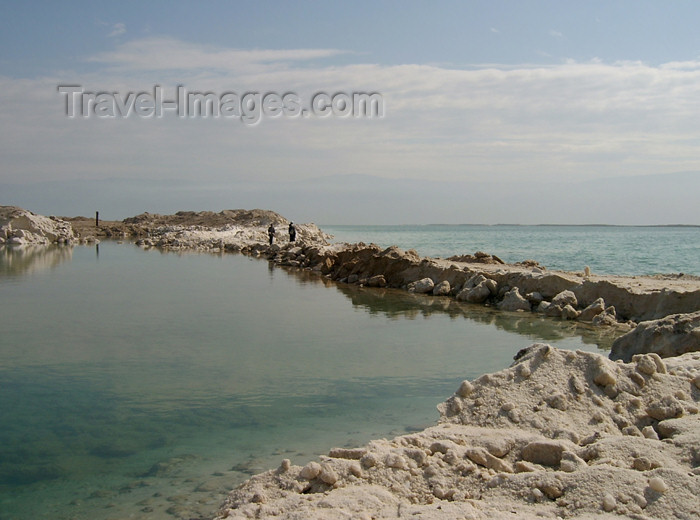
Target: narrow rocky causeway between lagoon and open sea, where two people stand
[(524, 286)]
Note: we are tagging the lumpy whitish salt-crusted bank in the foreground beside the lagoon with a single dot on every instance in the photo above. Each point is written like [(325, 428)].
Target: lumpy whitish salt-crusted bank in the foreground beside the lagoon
[(558, 434)]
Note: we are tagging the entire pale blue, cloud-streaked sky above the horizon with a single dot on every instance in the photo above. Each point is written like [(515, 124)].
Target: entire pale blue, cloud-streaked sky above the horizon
[(486, 112)]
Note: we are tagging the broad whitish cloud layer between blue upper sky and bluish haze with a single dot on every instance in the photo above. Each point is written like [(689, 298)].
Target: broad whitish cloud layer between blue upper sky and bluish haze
[(568, 121)]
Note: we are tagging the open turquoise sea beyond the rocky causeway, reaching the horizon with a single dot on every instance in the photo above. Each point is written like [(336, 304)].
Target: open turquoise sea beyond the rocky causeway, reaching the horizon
[(605, 249)]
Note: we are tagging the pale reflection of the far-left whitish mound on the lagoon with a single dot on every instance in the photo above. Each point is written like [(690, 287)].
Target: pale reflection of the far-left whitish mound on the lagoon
[(24, 260)]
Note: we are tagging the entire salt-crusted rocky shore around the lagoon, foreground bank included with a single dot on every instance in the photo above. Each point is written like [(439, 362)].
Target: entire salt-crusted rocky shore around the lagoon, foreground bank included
[(558, 434)]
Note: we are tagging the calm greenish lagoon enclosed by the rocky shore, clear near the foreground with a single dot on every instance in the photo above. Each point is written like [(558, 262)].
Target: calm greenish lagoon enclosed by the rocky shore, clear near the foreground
[(142, 384)]
